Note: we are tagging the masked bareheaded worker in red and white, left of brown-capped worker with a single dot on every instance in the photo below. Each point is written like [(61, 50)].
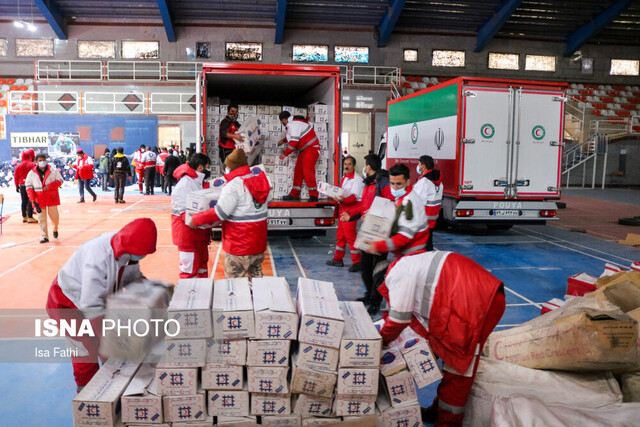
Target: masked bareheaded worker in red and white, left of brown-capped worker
[(192, 243)]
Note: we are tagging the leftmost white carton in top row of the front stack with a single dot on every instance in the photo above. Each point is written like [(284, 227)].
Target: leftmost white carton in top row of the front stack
[(191, 307)]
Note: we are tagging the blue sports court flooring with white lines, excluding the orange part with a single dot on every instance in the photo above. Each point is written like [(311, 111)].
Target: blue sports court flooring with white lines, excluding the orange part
[(532, 261)]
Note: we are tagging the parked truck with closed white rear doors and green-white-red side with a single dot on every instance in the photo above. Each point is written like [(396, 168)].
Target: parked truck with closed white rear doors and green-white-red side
[(498, 144)]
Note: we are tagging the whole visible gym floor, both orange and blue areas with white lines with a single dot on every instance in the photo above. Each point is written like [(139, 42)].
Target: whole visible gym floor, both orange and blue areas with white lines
[(532, 261)]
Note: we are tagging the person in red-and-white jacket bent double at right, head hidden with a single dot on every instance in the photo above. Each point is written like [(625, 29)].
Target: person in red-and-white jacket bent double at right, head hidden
[(454, 304)]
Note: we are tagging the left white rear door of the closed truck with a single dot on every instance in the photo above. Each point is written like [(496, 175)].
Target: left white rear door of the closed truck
[(486, 140)]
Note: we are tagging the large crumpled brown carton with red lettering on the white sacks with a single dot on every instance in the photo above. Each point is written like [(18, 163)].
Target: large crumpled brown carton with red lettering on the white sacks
[(569, 339)]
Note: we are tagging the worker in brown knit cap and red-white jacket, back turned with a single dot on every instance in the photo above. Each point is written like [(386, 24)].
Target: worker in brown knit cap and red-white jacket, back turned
[(242, 208)]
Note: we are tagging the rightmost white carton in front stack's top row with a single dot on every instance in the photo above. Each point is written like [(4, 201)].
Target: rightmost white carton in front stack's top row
[(361, 343)]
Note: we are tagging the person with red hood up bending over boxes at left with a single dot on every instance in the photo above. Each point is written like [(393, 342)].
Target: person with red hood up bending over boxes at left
[(98, 268)]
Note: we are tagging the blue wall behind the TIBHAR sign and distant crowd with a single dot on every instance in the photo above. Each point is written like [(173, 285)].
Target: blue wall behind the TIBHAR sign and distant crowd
[(137, 130)]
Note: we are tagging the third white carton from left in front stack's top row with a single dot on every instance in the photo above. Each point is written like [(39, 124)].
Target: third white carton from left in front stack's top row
[(274, 310)]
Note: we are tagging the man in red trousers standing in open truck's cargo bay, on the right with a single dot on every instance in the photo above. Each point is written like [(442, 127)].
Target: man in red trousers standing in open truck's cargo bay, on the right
[(301, 137)]
